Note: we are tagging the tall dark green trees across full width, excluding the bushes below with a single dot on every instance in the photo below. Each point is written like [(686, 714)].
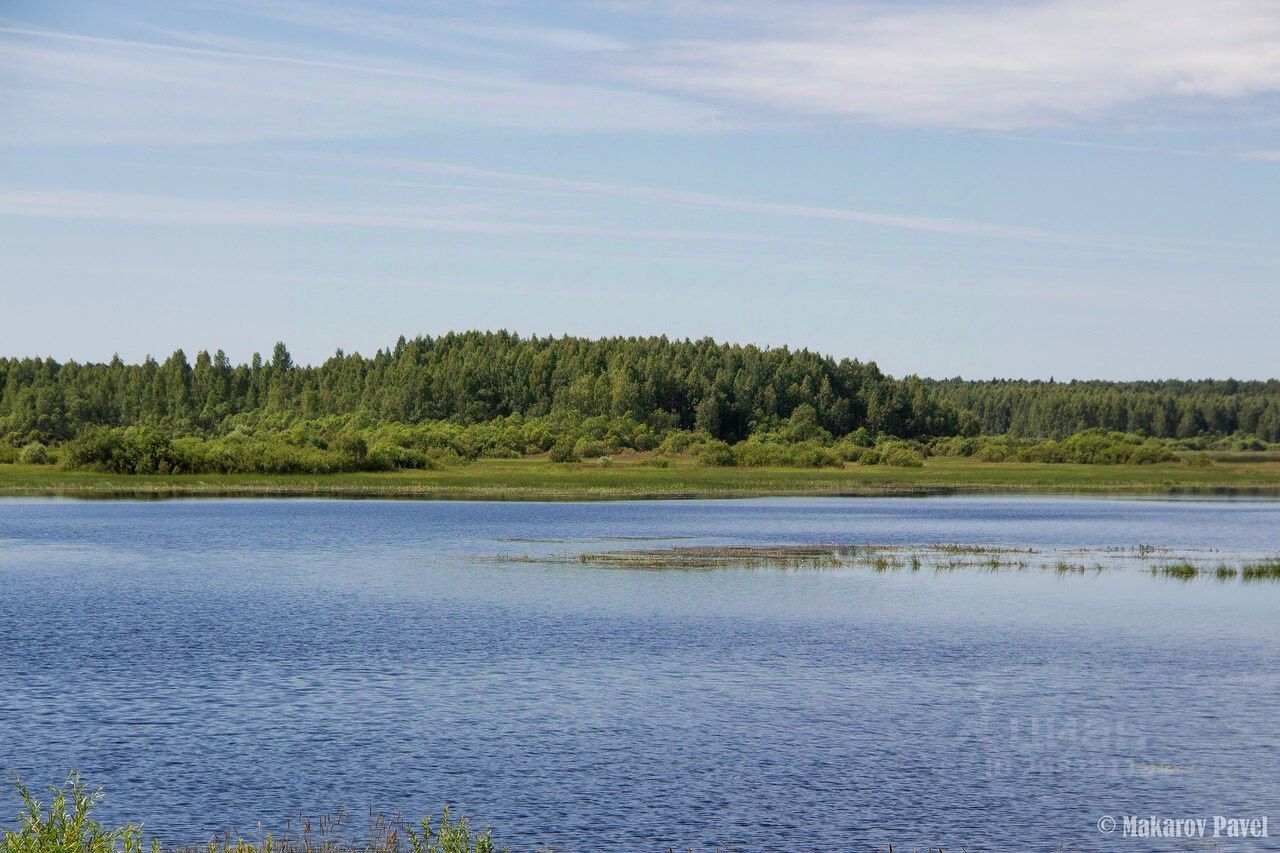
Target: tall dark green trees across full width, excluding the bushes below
[(725, 391)]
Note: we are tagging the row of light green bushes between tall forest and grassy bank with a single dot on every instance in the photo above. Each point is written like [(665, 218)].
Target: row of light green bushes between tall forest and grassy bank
[(280, 445)]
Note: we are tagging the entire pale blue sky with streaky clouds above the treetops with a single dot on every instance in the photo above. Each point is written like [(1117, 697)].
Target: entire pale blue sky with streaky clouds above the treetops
[(1068, 188)]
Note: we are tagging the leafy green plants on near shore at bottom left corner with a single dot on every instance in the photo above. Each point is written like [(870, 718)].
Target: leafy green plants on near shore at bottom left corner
[(67, 825)]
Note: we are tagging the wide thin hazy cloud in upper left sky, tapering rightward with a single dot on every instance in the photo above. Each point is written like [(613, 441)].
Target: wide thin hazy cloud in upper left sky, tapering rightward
[(74, 89)]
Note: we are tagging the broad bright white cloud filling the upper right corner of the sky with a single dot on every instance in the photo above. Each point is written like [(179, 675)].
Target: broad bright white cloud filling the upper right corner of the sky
[(984, 66)]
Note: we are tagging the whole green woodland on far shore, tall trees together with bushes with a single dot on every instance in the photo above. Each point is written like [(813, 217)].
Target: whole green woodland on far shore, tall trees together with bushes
[(470, 394)]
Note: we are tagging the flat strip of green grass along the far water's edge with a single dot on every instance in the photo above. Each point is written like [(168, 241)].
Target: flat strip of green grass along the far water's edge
[(638, 478)]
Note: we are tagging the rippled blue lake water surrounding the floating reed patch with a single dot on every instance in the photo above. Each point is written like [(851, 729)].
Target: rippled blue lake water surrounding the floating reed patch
[(222, 664)]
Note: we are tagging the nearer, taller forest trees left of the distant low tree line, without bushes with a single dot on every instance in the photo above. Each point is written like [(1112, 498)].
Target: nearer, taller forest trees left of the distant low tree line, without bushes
[(477, 377)]
